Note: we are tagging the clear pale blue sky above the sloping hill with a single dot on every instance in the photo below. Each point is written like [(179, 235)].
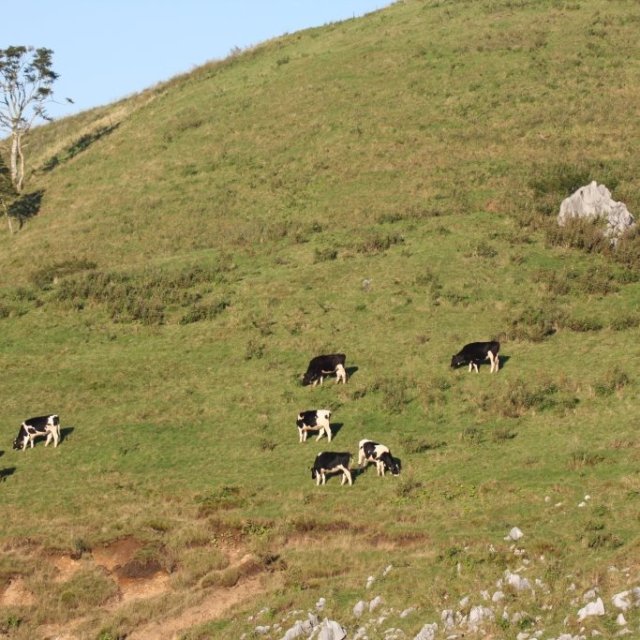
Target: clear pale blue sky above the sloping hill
[(105, 50)]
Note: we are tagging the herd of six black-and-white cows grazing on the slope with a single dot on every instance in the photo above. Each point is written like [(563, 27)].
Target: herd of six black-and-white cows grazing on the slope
[(313, 420)]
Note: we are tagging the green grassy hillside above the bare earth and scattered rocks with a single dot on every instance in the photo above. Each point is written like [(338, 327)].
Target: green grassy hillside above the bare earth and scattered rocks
[(407, 141)]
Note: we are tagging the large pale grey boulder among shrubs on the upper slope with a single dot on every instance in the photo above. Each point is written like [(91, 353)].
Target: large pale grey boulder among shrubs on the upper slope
[(595, 201)]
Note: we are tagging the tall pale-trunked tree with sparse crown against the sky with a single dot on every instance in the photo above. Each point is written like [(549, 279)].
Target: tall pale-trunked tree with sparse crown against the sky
[(26, 78)]
